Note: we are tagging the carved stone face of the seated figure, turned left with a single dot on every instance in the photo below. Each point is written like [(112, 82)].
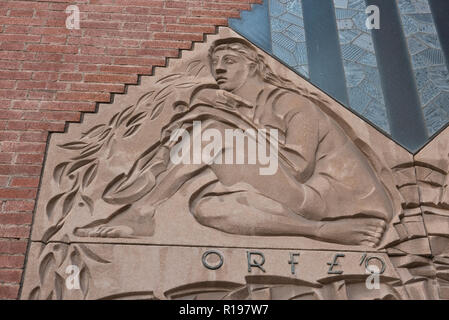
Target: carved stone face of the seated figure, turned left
[(230, 69)]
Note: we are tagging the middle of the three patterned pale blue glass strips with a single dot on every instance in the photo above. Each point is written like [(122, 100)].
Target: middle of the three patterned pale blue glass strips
[(359, 61)]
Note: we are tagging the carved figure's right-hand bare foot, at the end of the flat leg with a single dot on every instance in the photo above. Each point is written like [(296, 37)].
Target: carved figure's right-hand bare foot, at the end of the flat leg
[(353, 231)]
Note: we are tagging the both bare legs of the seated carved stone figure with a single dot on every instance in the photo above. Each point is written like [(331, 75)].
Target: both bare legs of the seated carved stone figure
[(246, 211)]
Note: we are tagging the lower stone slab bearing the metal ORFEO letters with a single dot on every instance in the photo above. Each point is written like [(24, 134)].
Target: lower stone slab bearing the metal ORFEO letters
[(158, 272)]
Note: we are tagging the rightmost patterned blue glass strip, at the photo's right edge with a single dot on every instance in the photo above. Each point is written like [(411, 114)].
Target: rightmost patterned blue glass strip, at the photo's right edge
[(427, 58)]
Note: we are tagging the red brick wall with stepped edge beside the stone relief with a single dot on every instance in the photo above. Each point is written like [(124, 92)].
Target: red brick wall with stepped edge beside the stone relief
[(49, 75)]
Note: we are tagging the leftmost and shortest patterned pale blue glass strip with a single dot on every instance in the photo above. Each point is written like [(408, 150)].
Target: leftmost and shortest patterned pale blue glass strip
[(287, 34)]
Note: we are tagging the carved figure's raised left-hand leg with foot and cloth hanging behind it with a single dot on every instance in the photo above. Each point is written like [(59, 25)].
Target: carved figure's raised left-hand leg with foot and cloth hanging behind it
[(152, 179)]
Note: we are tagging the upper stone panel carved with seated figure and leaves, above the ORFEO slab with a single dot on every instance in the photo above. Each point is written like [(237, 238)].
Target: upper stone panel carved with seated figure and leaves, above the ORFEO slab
[(109, 178)]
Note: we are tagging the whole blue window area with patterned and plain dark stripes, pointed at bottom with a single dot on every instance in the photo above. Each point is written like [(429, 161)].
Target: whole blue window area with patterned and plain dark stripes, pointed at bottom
[(290, 31)]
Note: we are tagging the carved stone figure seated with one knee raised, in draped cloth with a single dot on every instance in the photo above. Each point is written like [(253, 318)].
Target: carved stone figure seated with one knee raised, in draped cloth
[(324, 187)]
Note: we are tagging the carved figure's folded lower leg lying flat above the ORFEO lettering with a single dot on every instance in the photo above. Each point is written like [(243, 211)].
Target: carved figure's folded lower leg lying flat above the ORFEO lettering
[(250, 213)]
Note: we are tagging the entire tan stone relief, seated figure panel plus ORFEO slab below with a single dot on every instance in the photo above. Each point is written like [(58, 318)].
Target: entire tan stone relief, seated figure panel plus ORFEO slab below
[(314, 177)]
